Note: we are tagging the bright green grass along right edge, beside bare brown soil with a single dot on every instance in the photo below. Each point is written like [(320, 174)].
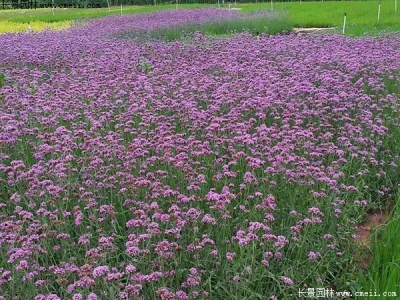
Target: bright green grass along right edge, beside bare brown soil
[(384, 272)]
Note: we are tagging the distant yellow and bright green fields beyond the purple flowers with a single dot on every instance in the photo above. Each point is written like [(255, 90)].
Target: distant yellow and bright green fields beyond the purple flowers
[(361, 16)]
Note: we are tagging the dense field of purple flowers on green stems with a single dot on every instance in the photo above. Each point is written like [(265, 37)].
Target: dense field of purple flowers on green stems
[(212, 169)]
